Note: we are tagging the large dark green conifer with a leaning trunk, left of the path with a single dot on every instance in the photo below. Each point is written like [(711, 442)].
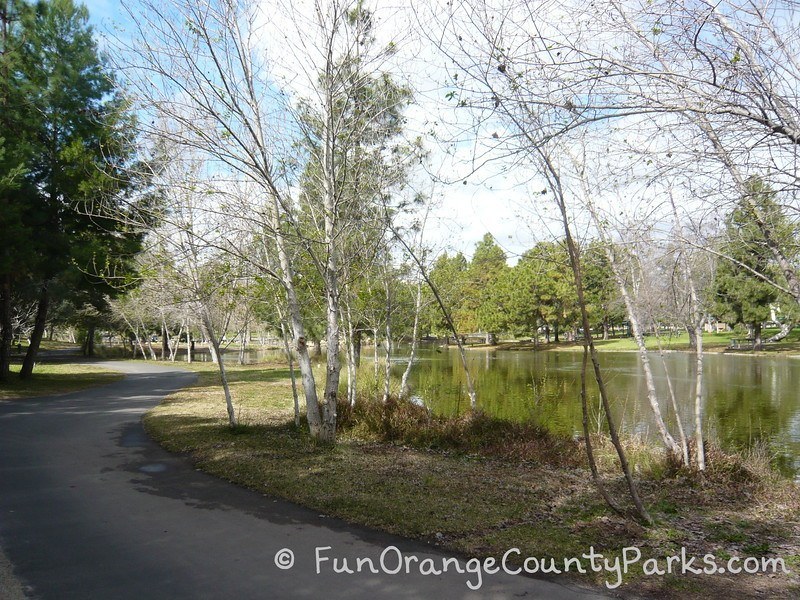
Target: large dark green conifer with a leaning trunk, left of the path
[(76, 145)]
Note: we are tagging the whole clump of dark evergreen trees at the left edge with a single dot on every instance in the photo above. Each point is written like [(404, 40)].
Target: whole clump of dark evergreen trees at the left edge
[(67, 140)]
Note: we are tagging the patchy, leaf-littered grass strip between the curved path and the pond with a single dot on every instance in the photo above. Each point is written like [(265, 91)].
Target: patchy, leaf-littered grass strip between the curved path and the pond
[(478, 504)]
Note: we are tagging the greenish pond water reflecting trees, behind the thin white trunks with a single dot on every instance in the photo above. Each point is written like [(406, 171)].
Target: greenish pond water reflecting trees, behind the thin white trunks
[(748, 399)]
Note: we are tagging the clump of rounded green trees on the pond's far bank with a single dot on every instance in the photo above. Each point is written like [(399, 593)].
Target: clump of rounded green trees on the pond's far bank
[(534, 298)]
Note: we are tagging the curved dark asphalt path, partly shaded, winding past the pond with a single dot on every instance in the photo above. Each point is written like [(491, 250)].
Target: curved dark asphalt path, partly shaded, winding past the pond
[(90, 508)]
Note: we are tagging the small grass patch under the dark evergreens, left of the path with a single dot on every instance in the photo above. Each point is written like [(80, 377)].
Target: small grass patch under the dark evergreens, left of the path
[(55, 379)]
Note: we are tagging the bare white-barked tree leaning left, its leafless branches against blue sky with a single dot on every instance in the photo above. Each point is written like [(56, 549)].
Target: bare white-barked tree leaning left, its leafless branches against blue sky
[(199, 65)]
